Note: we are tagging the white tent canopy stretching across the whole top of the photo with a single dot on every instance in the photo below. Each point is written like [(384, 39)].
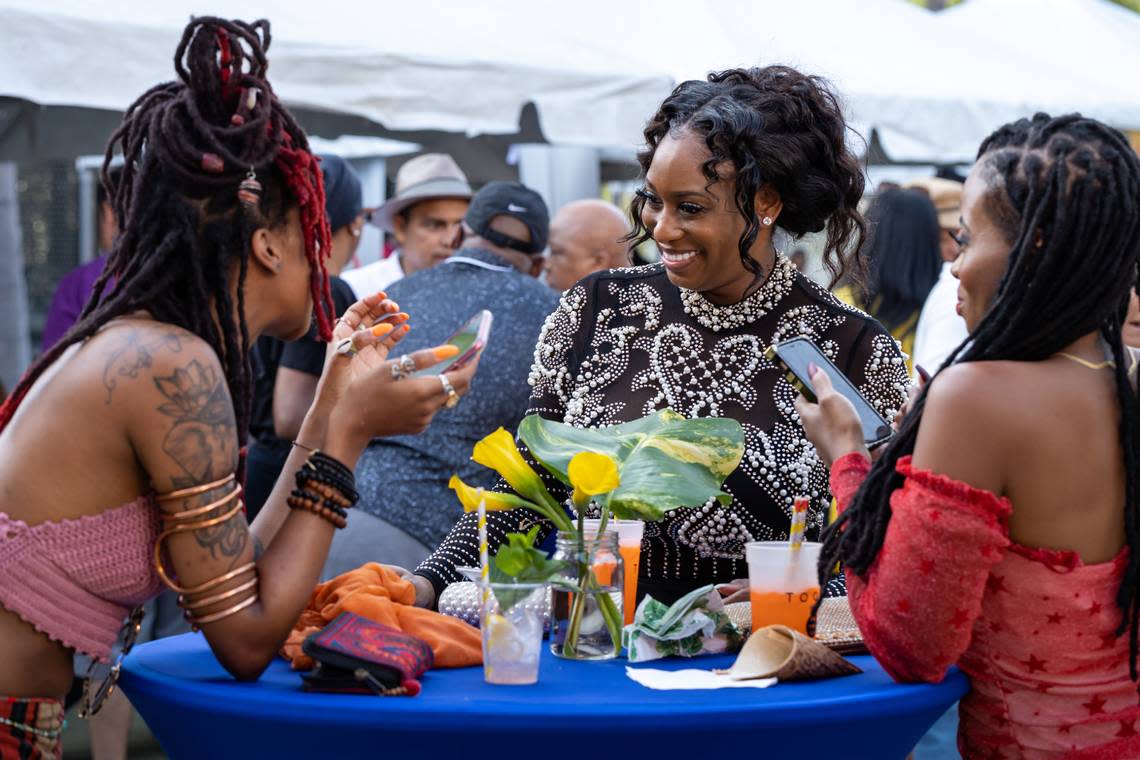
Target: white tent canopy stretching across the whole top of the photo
[(931, 85)]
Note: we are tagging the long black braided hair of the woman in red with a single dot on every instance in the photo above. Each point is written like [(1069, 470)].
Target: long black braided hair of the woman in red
[(1065, 193)]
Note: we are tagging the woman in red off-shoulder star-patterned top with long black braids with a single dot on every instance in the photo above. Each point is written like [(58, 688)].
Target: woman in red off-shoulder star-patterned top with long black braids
[(999, 530)]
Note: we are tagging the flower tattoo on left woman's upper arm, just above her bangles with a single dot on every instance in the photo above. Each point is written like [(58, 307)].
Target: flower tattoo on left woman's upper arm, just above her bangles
[(203, 434)]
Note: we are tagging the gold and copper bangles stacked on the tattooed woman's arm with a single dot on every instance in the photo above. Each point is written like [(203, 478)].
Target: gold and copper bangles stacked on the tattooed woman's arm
[(197, 600)]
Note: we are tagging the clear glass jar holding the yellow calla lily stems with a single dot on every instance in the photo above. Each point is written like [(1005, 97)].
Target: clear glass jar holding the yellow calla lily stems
[(587, 599)]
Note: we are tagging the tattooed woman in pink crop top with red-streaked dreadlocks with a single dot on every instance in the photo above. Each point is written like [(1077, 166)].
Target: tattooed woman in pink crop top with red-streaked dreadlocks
[(121, 444)]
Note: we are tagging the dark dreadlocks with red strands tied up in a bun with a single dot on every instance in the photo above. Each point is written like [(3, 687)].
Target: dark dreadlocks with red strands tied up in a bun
[(185, 232)]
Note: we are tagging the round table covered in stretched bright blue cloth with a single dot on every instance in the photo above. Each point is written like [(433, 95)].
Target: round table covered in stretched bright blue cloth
[(577, 710)]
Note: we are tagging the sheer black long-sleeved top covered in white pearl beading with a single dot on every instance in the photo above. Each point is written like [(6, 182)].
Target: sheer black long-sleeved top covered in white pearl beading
[(628, 342)]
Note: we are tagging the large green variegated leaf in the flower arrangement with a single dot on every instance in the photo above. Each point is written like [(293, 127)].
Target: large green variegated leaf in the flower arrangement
[(666, 461)]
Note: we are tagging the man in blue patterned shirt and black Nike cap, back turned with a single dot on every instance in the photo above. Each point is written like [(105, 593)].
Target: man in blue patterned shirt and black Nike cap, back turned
[(406, 508)]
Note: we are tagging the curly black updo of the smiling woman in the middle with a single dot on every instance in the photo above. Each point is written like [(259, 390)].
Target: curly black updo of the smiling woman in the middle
[(779, 129)]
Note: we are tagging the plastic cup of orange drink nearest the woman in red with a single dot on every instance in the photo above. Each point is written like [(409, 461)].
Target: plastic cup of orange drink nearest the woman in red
[(784, 583)]
